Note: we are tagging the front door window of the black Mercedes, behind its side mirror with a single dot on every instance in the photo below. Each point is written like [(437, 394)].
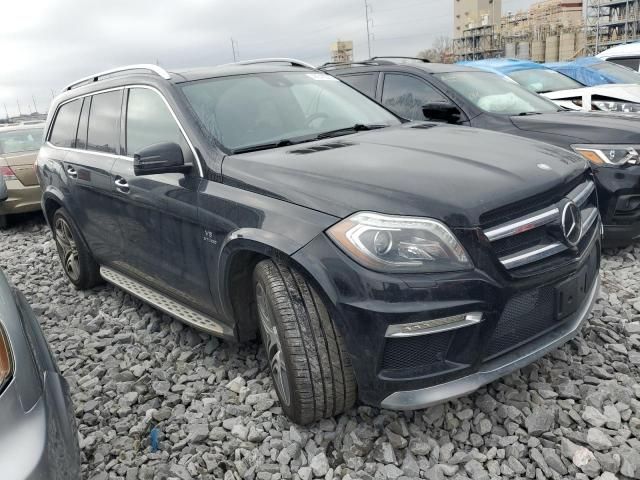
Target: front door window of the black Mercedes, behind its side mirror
[(149, 121)]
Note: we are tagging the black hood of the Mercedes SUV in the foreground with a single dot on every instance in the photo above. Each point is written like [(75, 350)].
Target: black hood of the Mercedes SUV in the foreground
[(454, 174)]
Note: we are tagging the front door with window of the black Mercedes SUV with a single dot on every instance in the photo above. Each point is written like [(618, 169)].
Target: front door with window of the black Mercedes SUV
[(158, 214)]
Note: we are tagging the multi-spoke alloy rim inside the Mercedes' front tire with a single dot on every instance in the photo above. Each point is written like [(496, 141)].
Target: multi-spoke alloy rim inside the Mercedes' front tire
[(273, 345)]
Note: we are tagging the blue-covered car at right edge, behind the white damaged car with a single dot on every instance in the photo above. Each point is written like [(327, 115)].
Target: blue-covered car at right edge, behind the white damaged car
[(592, 71)]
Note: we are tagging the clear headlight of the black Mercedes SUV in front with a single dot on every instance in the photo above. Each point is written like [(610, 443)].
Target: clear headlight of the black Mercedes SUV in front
[(389, 243)]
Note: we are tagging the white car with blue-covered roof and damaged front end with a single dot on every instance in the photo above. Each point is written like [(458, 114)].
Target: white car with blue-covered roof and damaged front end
[(562, 89)]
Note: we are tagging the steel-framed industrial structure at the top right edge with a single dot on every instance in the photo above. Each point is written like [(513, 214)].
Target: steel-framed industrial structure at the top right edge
[(611, 23)]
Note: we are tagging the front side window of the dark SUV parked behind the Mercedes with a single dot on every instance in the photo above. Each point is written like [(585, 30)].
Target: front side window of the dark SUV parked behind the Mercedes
[(407, 95)]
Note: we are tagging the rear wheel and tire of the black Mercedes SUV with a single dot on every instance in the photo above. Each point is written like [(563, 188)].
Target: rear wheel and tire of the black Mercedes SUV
[(77, 262)]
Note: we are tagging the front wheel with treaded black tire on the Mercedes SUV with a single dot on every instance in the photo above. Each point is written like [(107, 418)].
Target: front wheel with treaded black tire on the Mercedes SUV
[(310, 367)]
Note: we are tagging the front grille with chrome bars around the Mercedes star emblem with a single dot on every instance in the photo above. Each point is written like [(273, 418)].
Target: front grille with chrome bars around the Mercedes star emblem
[(519, 241)]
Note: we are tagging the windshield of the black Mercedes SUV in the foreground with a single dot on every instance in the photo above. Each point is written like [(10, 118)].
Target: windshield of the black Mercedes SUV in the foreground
[(281, 107)]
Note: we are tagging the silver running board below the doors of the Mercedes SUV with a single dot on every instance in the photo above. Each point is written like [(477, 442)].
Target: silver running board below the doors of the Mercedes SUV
[(165, 304)]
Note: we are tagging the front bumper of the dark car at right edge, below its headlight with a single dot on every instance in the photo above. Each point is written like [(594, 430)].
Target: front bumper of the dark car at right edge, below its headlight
[(619, 199)]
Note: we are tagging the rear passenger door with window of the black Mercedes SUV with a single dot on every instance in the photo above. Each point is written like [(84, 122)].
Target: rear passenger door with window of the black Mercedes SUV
[(88, 168)]
